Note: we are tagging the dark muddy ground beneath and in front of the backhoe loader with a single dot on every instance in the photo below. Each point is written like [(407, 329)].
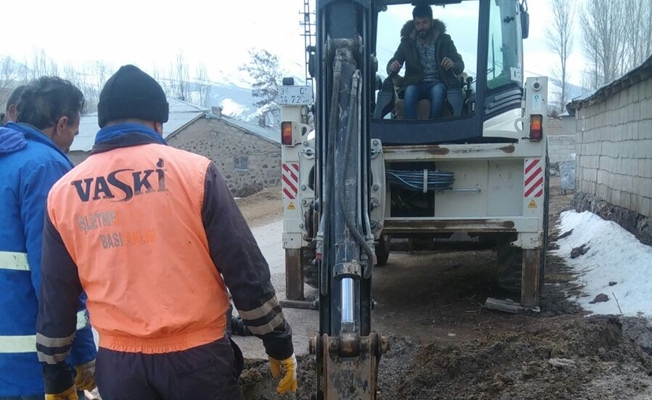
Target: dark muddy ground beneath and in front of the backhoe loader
[(445, 345)]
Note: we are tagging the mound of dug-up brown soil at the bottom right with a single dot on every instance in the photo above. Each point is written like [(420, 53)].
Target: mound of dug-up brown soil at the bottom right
[(574, 359)]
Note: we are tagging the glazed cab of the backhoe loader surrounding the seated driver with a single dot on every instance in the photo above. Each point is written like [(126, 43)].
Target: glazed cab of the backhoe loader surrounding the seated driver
[(488, 35)]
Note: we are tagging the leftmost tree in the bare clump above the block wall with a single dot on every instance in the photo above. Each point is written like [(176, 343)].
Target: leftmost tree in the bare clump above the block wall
[(604, 34)]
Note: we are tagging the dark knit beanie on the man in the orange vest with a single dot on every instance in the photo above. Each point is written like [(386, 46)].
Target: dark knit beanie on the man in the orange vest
[(131, 93)]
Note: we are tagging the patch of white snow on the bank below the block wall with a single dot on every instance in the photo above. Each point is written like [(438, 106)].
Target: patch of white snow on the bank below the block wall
[(608, 260)]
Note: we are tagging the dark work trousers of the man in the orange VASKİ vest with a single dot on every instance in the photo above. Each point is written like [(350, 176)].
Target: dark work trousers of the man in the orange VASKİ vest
[(208, 372)]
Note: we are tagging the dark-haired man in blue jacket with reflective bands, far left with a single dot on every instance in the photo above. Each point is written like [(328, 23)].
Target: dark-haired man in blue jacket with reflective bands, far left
[(32, 159)]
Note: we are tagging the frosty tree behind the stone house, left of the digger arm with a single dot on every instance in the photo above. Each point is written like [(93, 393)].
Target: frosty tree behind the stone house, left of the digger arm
[(266, 75)]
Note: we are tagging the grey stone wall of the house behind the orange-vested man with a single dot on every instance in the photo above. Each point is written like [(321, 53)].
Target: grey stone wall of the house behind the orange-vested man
[(222, 142)]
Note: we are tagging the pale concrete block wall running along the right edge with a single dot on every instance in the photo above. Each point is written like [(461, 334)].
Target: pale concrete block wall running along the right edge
[(614, 148)]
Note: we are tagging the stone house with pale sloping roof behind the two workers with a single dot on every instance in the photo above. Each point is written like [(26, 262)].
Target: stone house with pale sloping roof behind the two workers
[(247, 155)]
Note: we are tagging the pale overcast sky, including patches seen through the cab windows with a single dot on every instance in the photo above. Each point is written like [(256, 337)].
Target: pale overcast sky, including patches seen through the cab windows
[(215, 33)]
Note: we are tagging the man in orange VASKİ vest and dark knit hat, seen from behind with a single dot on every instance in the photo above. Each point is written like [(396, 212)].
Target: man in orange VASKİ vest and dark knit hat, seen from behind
[(153, 236)]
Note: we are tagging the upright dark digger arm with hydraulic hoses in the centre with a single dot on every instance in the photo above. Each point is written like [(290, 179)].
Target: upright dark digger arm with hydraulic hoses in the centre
[(347, 351)]
